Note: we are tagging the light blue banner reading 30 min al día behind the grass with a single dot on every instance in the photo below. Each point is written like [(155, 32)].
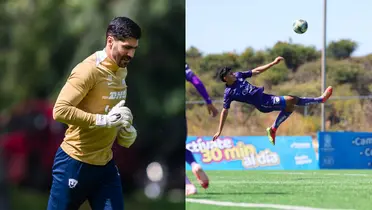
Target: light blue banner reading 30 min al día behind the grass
[(253, 153)]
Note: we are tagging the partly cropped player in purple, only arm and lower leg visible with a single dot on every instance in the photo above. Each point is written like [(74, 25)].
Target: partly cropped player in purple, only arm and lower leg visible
[(196, 168)]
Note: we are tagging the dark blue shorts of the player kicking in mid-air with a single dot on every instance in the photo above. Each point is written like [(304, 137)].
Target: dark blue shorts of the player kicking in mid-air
[(269, 103)]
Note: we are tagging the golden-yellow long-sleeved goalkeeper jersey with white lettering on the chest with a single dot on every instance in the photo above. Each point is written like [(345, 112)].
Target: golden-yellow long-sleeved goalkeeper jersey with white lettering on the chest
[(93, 87)]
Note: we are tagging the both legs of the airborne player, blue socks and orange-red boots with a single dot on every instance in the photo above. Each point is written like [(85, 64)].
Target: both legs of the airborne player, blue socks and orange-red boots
[(291, 102)]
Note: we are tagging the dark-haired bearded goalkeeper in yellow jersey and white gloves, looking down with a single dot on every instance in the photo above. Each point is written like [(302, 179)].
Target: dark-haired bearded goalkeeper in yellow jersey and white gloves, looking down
[(91, 103)]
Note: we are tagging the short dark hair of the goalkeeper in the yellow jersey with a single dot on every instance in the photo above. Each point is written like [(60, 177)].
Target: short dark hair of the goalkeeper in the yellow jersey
[(122, 28)]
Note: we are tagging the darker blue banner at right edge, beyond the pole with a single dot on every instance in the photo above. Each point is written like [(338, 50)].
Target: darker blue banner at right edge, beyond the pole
[(345, 150)]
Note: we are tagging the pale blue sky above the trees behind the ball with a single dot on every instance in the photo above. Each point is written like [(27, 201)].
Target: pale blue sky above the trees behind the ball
[(216, 26)]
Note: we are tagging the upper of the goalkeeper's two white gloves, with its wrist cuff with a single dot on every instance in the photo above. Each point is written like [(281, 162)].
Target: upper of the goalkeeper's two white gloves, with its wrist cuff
[(119, 115)]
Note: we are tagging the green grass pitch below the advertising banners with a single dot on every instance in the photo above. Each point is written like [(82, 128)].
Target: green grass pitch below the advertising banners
[(331, 189)]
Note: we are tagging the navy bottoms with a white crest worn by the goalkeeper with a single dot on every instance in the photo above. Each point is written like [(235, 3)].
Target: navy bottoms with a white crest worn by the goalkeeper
[(74, 182)]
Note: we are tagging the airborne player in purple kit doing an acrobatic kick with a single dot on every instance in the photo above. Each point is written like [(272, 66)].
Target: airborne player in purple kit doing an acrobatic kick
[(238, 89)]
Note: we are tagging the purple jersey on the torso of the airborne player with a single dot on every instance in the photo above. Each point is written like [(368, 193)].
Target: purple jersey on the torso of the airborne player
[(242, 91)]
